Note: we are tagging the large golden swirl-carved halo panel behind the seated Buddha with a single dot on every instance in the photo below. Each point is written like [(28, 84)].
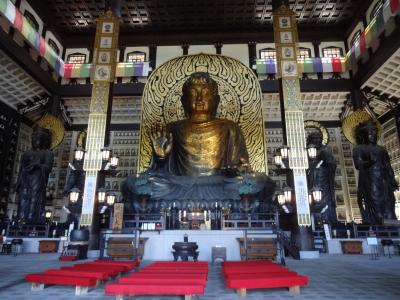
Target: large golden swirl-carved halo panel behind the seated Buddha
[(240, 102)]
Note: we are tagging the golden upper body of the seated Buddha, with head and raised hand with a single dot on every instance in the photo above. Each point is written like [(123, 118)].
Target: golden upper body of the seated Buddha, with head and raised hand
[(201, 144)]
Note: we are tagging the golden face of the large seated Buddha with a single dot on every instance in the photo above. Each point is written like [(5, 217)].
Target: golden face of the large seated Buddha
[(201, 100)]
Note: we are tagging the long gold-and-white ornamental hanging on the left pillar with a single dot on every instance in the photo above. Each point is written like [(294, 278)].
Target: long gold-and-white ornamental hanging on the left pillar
[(104, 64)]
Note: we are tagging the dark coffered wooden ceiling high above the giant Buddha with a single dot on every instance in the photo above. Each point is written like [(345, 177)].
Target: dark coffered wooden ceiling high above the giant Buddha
[(77, 17)]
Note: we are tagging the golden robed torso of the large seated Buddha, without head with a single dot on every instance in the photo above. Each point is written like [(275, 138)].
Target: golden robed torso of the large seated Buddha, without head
[(202, 149)]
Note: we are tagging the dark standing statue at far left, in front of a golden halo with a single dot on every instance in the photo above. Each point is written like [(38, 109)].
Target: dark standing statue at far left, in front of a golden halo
[(33, 175)]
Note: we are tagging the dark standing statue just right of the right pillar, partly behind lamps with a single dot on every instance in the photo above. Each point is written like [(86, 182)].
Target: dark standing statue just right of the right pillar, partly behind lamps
[(322, 174)]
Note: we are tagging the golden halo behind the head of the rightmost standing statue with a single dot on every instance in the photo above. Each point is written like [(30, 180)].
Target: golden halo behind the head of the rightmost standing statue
[(351, 122)]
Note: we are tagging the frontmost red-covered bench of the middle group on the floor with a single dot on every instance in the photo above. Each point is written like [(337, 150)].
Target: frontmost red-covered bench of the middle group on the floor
[(154, 289)]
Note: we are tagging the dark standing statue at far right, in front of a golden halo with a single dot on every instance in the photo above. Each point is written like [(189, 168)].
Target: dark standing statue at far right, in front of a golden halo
[(376, 181)]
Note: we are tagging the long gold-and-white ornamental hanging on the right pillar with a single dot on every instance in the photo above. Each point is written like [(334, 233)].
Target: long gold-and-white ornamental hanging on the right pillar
[(286, 41)]
